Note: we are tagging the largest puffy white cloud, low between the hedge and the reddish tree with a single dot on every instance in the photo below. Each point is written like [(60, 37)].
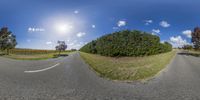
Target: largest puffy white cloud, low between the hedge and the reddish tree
[(178, 41)]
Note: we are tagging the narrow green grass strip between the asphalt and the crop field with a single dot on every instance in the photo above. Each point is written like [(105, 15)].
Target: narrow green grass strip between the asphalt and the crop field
[(34, 56)]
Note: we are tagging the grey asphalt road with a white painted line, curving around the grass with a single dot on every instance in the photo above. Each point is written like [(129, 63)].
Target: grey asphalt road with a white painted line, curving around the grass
[(70, 78)]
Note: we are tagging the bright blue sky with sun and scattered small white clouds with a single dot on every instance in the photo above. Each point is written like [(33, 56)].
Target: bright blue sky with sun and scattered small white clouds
[(39, 24)]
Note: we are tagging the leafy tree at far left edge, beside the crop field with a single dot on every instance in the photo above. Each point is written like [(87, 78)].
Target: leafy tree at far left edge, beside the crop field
[(7, 40)]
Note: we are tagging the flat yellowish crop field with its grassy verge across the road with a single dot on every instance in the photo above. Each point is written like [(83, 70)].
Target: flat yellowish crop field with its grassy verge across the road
[(34, 54)]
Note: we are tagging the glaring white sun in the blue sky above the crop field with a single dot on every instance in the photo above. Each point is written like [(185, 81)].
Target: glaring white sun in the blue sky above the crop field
[(63, 28)]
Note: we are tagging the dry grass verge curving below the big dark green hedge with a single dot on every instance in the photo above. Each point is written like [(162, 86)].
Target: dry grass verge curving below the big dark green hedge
[(128, 68)]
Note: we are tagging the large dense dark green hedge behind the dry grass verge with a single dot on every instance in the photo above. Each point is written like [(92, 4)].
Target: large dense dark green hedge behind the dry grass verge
[(127, 43)]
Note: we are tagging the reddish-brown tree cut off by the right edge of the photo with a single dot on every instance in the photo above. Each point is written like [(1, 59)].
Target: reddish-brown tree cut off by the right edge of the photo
[(196, 38)]
